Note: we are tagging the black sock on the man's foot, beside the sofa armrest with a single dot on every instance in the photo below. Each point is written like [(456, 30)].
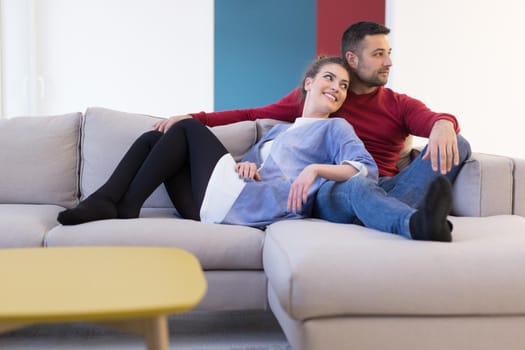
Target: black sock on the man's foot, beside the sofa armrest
[(429, 222)]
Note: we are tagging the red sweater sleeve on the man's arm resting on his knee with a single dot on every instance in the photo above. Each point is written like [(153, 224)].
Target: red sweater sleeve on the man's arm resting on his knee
[(419, 118)]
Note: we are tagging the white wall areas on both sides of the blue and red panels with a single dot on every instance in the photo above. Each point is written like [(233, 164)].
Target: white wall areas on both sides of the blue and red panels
[(156, 57)]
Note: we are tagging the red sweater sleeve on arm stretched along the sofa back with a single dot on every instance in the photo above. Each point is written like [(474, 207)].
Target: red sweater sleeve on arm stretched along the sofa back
[(286, 109)]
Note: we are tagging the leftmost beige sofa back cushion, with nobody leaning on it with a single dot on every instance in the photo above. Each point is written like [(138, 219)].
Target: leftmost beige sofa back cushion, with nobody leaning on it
[(39, 159)]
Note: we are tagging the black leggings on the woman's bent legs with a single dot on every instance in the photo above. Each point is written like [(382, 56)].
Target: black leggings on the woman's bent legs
[(183, 159)]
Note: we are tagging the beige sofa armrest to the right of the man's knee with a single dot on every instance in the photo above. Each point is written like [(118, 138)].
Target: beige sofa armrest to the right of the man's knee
[(485, 186)]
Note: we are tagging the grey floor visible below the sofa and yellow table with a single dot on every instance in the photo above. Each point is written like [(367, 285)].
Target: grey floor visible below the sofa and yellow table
[(246, 330)]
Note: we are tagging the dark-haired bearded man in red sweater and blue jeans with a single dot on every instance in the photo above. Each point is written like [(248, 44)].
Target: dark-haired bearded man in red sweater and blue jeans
[(383, 119)]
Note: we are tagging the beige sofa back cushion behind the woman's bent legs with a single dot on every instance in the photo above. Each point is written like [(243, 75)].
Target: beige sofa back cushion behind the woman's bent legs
[(107, 135)]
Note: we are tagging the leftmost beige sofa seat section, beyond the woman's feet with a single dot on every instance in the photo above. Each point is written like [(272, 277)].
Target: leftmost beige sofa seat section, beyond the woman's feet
[(25, 225)]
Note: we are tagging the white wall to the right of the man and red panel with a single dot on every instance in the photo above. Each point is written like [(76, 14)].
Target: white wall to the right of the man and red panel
[(466, 58)]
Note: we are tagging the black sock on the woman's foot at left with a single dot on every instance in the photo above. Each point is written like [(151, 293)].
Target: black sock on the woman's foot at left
[(90, 209)]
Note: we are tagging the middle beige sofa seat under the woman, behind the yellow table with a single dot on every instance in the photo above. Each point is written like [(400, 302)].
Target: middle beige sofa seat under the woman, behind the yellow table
[(231, 256)]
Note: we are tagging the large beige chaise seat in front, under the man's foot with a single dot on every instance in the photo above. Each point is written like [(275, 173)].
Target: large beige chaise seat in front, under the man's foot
[(345, 286)]
